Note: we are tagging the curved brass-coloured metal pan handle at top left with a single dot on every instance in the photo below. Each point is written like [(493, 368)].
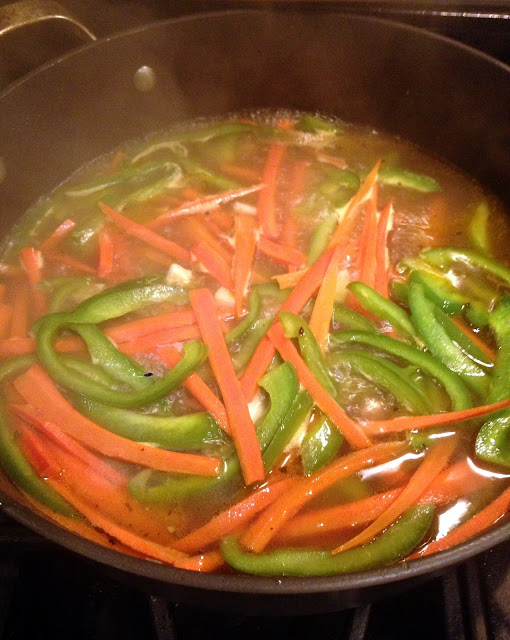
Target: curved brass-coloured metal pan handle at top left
[(27, 12)]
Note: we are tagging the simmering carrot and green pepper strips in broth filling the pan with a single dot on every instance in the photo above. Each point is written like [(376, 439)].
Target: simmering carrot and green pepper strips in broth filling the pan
[(254, 346)]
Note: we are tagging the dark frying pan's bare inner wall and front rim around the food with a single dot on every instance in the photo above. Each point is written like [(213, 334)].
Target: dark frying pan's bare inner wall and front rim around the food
[(452, 101)]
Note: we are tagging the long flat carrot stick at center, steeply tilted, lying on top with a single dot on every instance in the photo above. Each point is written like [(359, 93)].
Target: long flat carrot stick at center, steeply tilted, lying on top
[(239, 419)]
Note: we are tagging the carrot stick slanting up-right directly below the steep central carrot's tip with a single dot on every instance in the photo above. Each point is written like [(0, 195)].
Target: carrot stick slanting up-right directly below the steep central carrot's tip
[(235, 517)]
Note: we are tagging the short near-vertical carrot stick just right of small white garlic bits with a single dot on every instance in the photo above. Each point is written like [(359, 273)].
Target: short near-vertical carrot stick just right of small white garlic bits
[(245, 244)]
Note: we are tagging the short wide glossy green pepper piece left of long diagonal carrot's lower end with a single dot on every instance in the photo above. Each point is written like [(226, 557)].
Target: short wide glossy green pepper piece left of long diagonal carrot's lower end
[(320, 445)]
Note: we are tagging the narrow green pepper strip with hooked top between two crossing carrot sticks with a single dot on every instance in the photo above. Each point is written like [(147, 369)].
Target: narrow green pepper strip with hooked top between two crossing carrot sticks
[(295, 327)]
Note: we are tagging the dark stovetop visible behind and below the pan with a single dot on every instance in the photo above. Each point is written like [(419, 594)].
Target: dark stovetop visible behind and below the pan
[(48, 592)]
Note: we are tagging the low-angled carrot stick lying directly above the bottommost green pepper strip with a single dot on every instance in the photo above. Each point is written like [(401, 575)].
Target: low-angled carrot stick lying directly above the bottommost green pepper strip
[(337, 518)]
